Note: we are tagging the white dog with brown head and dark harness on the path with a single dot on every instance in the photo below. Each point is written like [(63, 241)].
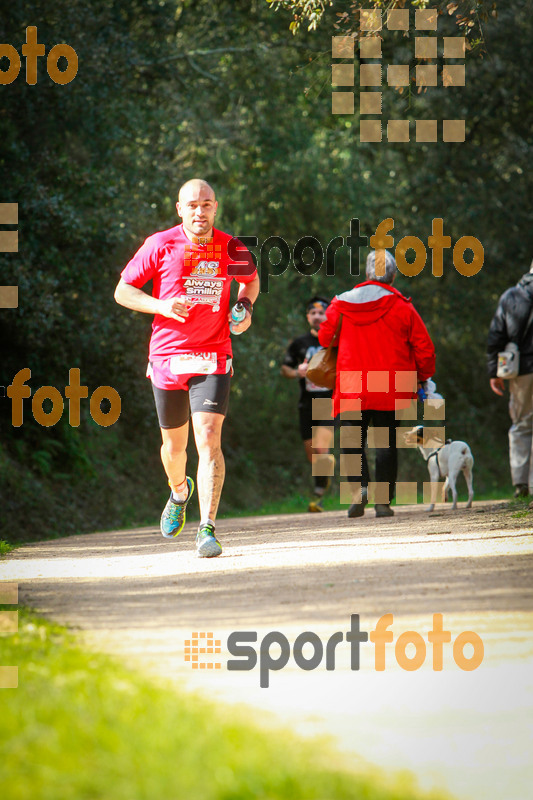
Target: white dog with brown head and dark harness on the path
[(446, 462)]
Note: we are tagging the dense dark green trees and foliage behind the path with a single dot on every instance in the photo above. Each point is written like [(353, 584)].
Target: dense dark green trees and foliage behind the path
[(168, 90)]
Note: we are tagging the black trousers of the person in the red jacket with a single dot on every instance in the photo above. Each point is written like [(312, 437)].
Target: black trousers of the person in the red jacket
[(386, 457)]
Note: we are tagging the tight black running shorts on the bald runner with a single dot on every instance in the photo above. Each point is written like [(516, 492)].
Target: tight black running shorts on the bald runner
[(206, 393)]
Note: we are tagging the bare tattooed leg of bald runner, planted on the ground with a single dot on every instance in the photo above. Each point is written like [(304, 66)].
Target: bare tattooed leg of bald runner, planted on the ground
[(211, 468)]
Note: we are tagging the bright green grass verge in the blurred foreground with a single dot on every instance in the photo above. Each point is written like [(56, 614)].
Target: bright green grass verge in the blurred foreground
[(82, 727)]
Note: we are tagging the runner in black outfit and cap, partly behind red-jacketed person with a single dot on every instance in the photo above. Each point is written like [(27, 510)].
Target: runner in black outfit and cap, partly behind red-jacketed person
[(294, 365)]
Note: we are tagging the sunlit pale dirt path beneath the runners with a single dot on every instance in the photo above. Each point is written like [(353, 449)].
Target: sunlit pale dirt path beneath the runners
[(139, 596)]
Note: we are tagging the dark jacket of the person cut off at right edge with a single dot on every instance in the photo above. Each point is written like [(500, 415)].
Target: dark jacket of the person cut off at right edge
[(509, 323)]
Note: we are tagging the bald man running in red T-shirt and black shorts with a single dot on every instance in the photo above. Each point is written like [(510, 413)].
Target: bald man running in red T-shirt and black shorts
[(190, 358)]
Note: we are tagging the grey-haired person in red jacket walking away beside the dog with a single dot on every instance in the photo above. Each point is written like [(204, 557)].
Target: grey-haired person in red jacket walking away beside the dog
[(384, 353)]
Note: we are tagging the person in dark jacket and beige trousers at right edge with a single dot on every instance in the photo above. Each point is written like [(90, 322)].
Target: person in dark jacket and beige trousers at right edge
[(512, 323)]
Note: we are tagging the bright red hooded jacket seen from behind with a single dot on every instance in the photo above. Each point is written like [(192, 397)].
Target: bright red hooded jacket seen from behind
[(384, 348)]
